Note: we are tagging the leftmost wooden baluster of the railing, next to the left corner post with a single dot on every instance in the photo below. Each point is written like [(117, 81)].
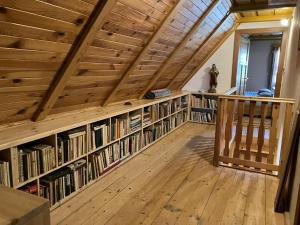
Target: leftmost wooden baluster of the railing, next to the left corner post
[(228, 126)]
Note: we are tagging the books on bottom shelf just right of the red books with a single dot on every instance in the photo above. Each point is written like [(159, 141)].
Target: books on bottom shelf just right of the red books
[(59, 184)]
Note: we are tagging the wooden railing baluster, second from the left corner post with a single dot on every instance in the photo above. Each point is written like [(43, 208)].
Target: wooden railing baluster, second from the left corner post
[(239, 129)]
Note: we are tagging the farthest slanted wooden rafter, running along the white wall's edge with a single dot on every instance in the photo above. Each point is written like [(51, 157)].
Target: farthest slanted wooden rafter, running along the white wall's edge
[(226, 36)]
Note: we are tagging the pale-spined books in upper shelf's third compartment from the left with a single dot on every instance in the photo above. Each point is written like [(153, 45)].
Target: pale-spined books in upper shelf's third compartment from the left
[(71, 145)]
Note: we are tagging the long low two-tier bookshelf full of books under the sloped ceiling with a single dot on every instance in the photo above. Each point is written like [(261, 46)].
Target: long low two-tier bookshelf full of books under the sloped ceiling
[(64, 161)]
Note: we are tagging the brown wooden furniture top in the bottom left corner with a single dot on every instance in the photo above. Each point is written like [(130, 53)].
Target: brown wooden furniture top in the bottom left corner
[(18, 207)]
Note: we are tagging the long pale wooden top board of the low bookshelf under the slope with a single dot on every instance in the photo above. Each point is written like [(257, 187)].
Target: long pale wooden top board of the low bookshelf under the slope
[(27, 131)]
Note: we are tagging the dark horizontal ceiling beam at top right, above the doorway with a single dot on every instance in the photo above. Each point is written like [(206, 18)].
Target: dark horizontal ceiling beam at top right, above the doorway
[(259, 6)]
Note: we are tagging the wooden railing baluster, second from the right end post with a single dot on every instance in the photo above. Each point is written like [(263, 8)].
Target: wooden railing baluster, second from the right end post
[(261, 131)]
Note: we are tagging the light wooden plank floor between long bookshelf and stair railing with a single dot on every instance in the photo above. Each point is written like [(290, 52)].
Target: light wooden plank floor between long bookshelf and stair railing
[(173, 182)]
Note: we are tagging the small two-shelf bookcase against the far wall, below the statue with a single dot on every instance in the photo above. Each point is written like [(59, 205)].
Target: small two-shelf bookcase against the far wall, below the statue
[(203, 108)]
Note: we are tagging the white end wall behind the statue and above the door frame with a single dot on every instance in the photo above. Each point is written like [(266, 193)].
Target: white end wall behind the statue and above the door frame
[(223, 58)]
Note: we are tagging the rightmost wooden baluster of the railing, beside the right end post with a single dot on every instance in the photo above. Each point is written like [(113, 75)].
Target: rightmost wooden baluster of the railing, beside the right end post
[(273, 132)]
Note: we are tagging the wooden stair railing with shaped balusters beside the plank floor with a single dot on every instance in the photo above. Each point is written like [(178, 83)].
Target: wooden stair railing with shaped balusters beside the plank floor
[(248, 132)]
